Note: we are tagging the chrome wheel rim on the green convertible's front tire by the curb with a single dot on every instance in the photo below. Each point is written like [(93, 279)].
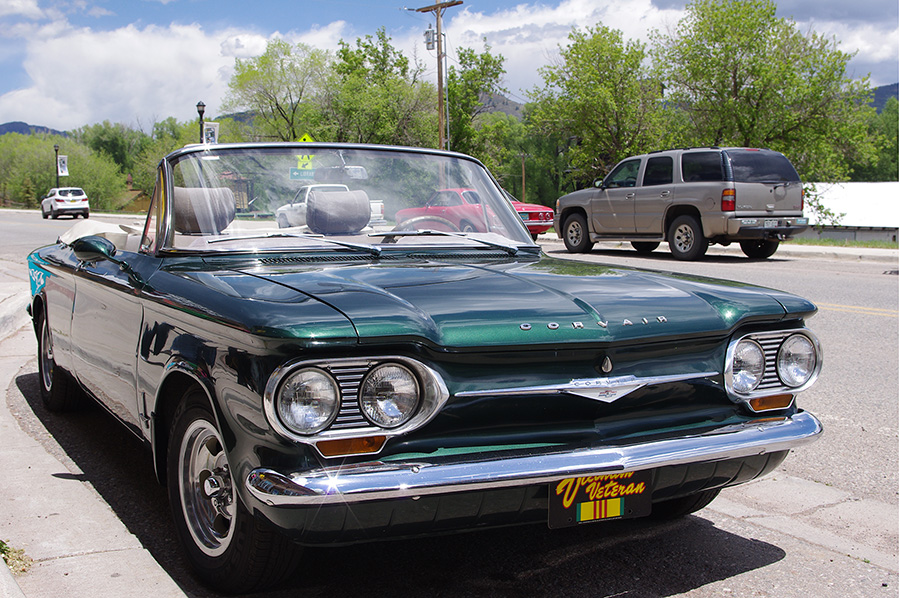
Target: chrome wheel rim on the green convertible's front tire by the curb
[(207, 492)]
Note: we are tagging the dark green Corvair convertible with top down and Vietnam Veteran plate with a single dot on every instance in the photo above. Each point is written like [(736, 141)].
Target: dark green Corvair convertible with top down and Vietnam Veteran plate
[(351, 380)]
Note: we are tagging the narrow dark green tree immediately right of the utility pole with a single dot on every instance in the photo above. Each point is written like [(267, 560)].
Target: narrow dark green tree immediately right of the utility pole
[(477, 78)]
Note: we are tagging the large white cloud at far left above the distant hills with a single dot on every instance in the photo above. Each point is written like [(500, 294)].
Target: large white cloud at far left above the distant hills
[(127, 75)]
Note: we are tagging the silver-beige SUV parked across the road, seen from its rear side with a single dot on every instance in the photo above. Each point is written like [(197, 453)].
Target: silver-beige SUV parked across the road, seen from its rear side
[(689, 198)]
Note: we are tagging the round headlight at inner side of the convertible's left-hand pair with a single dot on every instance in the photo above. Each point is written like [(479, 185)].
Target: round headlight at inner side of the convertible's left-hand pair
[(389, 395)]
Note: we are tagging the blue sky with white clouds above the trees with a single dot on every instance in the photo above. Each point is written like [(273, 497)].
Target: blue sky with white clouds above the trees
[(68, 63)]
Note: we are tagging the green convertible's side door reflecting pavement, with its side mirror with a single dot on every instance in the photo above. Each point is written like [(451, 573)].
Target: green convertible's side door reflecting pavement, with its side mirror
[(106, 323)]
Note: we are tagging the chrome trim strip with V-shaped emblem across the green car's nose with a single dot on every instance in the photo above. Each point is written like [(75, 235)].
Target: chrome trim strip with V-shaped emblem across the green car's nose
[(601, 389)]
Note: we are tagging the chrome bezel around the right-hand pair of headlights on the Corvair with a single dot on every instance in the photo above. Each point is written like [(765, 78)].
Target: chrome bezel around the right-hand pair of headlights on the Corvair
[(771, 382)]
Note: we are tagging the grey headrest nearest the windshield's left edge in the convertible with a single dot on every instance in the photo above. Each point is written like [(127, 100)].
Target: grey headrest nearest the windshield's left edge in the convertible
[(202, 210)]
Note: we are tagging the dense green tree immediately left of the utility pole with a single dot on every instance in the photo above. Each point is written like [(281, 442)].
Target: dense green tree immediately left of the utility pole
[(377, 97)]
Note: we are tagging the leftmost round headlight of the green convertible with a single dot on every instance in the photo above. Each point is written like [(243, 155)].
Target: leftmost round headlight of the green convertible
[(308, 401)]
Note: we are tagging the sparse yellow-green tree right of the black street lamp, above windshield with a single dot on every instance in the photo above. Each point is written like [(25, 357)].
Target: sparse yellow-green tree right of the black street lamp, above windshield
[(283, 88)]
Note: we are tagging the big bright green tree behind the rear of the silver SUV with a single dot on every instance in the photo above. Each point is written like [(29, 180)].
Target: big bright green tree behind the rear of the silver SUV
[(745, 77)]
